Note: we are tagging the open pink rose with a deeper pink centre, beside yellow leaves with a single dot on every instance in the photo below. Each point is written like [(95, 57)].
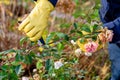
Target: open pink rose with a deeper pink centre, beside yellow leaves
[(91, 47)]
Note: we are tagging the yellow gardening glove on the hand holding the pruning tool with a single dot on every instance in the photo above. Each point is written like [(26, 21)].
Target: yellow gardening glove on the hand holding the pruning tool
[(36, 22)]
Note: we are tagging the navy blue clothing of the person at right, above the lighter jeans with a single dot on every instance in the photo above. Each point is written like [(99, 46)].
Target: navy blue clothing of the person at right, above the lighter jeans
[(109, 21)]
